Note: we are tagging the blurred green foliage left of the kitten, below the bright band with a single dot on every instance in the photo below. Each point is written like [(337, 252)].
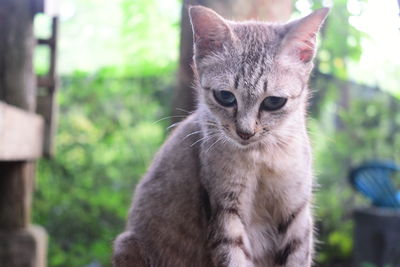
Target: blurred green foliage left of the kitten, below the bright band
[(106, 139)]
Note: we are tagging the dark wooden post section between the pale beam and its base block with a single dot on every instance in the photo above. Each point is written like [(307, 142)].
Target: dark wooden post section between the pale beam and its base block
[(16, 187)]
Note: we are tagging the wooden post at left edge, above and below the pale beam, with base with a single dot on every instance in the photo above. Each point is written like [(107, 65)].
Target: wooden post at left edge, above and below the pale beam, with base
[(20, 244)]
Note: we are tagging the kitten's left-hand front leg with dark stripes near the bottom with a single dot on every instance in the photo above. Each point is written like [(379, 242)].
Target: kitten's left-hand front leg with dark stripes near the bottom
[(229, 191)]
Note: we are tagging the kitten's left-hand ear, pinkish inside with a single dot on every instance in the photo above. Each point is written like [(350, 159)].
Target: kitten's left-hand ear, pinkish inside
[(210, 31)]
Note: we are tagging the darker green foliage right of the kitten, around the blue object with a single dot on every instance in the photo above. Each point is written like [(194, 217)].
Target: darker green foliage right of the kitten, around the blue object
[(345, 137)]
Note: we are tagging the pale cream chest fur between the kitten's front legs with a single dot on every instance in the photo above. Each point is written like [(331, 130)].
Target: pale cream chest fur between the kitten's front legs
[(275, 191)]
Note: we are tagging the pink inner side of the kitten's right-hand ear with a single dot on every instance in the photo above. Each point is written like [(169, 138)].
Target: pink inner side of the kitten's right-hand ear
[(301, 37)]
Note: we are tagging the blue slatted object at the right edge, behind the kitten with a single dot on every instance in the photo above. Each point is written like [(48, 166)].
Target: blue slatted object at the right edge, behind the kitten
[(373, 180)]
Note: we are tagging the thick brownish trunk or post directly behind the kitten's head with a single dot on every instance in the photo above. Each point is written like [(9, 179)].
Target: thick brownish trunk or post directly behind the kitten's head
[(268, 10)]
